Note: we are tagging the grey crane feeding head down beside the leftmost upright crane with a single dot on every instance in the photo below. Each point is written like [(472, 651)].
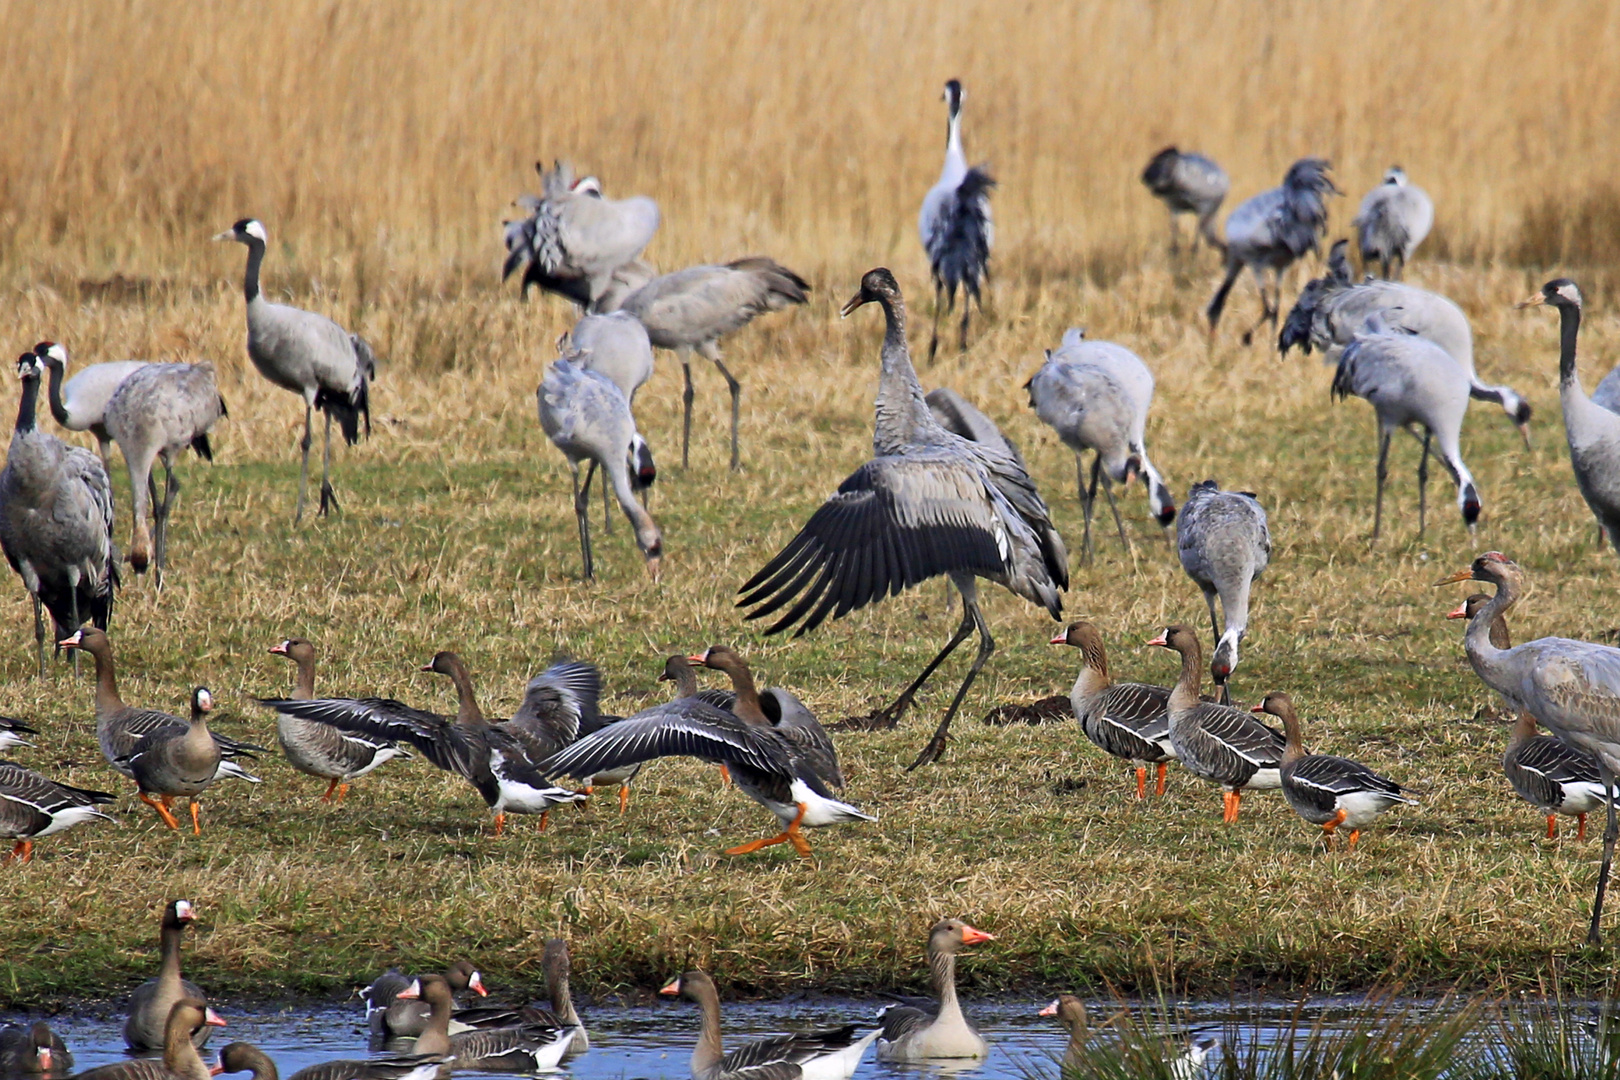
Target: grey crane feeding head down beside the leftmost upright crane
[(156, 414)]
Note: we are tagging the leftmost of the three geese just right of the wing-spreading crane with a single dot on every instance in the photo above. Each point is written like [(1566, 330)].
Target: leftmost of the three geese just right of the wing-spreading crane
[(1125, 720)]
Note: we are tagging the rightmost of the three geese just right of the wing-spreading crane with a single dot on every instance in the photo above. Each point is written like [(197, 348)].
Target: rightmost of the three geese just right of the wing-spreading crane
[(1329, 791)]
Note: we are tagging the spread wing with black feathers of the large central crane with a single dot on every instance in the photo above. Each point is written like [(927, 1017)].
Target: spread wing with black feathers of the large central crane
[(895, 522)]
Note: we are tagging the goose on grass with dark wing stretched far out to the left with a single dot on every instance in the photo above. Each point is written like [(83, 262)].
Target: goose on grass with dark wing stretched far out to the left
[(484, 754)]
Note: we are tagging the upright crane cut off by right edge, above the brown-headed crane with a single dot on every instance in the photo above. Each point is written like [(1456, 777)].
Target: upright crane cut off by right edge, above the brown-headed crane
[(1592, 432)]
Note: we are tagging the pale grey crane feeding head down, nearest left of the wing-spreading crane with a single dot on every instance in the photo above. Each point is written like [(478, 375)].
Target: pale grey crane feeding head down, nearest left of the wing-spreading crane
[(589, 419)]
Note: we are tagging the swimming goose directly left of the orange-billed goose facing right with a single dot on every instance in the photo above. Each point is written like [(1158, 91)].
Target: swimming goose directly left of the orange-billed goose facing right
[(821, 1055)]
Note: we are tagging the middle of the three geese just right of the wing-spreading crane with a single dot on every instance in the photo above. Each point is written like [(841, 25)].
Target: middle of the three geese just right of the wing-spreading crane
[(1217, 742)]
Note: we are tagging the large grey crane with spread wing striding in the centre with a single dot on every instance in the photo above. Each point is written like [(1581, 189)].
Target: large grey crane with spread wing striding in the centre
[(927, 504)]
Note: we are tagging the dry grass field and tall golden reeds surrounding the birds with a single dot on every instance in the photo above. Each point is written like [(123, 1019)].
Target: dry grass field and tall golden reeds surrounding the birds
[(382, 145)]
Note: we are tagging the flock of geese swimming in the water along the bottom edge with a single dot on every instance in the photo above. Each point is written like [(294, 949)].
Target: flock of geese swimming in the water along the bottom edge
[(419, 1031)]
